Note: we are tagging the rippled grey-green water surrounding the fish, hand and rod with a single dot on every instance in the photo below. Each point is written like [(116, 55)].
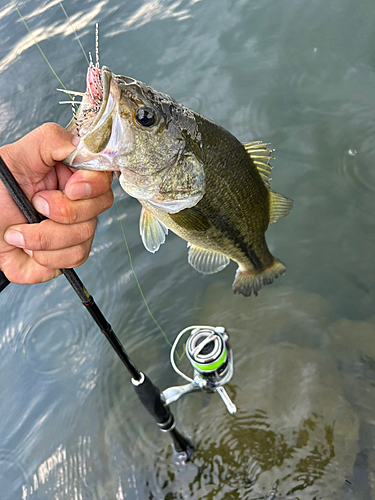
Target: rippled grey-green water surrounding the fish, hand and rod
[(297, 74)]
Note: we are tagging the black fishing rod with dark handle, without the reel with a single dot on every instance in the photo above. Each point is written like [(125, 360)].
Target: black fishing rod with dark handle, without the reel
[(148, 393)]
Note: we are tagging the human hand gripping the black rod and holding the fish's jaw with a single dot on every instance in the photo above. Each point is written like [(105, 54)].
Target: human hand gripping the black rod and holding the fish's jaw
[(34, 253)]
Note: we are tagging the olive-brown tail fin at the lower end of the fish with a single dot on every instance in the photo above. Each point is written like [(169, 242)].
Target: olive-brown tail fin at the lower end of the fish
[(247, 282)]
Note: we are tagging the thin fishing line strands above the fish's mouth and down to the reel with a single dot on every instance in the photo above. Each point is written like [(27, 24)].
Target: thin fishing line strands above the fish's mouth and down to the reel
[(117, 208)]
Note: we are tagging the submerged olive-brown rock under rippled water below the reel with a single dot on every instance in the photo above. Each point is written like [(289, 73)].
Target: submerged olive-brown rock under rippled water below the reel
[(294, 435)]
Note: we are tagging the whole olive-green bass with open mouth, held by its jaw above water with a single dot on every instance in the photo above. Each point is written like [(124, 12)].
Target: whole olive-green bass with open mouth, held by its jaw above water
[(190, 175)]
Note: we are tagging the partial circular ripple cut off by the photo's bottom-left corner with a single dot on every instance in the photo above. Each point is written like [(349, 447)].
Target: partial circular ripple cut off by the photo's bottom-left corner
[(12, 476)]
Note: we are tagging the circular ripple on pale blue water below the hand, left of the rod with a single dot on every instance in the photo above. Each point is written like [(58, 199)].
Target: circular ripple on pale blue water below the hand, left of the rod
[(55, 342)]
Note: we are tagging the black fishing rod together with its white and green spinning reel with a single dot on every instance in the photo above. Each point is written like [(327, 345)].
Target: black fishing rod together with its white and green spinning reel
[(207, 348)]
